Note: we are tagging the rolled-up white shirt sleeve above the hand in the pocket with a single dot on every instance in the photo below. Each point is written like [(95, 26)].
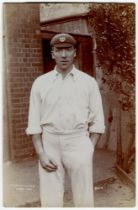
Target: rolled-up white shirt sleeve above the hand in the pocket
[(96, 115)]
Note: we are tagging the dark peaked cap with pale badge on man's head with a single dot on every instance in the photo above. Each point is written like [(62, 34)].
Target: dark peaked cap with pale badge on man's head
[(63, 40)]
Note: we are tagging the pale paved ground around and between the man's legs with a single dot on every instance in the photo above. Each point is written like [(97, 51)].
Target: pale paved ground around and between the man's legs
[(21, 184)]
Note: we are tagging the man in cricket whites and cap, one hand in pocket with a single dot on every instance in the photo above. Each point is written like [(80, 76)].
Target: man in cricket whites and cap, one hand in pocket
[(65, 109)]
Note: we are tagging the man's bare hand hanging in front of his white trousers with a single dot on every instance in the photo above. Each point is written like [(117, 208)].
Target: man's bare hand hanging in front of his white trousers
[(46, 163)]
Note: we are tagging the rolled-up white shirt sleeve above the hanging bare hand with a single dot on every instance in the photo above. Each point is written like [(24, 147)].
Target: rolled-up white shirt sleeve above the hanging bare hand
[(34, 125)]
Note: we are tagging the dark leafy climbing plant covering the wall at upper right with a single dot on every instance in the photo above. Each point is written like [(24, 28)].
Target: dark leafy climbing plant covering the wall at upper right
[(114, 27)]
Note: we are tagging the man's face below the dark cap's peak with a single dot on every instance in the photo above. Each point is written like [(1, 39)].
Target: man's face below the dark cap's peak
[(64, 56)]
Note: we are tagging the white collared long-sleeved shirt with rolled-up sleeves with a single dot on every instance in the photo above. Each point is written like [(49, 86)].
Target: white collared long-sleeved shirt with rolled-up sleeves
[(65, 105)]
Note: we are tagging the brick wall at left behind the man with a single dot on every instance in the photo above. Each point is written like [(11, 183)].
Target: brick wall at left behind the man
[(23, 56)]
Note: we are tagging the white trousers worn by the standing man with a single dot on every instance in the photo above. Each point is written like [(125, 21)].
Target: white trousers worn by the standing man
[(75, 153)]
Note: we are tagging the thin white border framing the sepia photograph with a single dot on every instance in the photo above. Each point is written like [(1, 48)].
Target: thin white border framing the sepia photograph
[(1, 66)]
